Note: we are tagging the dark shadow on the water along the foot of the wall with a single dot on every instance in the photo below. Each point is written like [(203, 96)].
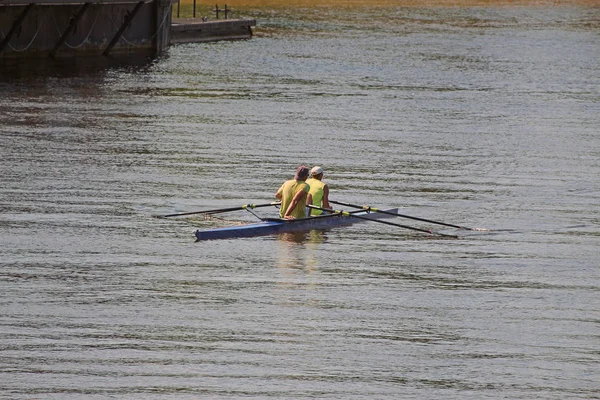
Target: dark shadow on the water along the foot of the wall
[(33, 69)]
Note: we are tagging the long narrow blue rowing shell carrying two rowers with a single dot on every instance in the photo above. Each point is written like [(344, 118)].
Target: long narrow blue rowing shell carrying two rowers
[(272, 226)]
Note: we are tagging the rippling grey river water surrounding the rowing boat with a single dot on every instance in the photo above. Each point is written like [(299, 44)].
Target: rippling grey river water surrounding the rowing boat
[(486, 117)]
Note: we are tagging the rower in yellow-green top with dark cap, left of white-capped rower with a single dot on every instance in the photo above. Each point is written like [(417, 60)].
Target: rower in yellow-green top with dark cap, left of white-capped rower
[(293, 195)]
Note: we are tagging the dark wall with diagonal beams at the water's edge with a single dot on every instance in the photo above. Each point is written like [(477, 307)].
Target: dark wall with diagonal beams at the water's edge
[(46, 22)]
